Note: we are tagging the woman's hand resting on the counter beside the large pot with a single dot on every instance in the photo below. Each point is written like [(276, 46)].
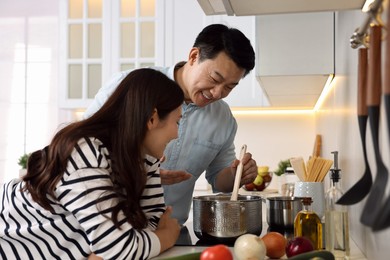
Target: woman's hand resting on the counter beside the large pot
[(168, 230)]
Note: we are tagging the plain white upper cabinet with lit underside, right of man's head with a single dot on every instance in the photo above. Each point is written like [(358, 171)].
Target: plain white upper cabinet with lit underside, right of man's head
[(296, 56)]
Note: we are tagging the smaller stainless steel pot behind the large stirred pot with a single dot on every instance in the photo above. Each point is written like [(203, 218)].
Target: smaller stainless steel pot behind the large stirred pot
[(281, 211)]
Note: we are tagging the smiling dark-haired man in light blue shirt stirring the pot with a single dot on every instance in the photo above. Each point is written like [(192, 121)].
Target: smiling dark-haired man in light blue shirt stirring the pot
[(219, 59)]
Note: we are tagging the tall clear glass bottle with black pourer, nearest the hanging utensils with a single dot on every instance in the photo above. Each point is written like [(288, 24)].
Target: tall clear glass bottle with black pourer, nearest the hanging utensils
[(336, 217)]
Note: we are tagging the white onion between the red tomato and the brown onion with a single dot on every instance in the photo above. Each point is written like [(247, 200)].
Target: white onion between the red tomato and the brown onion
[(249, 247)]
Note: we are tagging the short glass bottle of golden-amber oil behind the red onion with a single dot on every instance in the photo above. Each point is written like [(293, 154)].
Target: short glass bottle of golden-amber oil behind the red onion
[(308, 224)]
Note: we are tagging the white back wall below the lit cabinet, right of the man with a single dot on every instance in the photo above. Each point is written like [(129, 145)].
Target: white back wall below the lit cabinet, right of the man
[(275, 137)]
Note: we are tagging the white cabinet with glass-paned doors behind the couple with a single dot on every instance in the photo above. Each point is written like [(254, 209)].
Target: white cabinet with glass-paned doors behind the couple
[(101, 37)]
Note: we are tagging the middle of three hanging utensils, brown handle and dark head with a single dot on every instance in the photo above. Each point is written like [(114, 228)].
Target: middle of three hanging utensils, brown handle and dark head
[(374, 200)]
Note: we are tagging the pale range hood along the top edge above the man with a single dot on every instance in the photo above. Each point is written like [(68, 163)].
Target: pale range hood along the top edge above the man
[(256, 7)]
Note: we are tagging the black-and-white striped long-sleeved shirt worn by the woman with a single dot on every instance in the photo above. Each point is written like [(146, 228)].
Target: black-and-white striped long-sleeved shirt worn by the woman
[(76, 228)]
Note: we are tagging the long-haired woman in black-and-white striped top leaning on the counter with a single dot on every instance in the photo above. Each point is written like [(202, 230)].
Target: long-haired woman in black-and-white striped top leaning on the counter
[(96, 188)]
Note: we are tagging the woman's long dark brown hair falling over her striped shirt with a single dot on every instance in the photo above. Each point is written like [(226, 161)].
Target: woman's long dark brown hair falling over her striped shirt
[(121, 124)]
